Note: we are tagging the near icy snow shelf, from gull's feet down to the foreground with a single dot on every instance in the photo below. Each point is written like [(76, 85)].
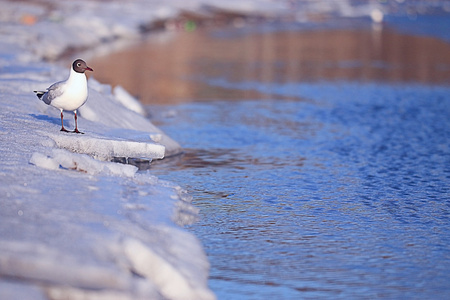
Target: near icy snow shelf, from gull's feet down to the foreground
[(72, 224)]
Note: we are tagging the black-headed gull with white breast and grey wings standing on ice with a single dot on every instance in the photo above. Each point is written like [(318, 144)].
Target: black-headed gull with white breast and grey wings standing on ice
[(69, 94)]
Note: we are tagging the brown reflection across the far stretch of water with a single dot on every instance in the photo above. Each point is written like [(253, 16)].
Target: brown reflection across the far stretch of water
[(167, 69)]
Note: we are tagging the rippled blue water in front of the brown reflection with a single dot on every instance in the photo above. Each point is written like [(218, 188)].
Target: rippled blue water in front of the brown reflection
[(343, 193)]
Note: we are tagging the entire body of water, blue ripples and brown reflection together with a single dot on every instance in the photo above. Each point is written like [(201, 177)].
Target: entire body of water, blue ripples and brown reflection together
[(344, 195)]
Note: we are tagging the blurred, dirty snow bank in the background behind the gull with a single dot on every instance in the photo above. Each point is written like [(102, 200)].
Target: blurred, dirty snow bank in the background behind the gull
[(63, 26)]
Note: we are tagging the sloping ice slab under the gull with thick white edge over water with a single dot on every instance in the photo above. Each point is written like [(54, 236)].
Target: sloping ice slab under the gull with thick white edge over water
[(114, 130)]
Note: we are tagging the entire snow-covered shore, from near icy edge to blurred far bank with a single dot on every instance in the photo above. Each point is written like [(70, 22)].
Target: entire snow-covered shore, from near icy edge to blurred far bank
[(73, 224)]
